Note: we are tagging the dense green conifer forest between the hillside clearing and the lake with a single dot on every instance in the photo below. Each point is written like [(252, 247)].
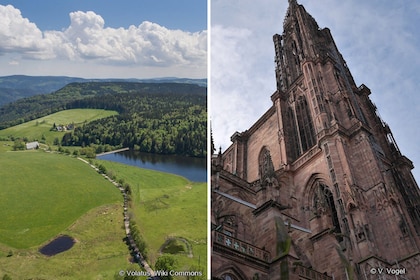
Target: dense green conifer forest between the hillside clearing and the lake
[(155, 123)]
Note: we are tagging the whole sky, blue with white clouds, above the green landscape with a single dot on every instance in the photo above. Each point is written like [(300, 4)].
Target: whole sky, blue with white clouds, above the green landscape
[(104, 38)]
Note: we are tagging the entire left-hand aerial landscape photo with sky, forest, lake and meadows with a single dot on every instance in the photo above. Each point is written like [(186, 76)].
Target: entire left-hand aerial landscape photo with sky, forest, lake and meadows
[(103, 141)]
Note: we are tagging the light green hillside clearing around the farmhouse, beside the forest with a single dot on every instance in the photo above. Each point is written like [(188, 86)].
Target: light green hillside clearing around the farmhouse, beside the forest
[(39, 128)]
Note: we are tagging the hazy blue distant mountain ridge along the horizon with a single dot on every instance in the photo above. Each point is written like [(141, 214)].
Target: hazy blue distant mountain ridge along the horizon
[(15, 87)]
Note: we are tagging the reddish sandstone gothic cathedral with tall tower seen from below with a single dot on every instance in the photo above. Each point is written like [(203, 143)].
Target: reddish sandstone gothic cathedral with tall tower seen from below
[(317, 188)]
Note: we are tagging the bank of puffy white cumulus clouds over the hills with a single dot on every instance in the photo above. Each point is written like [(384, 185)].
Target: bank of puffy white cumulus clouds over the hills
[(87, 38)]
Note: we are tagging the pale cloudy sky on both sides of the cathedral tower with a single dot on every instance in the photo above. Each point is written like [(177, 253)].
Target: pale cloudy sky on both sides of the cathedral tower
[(379, 39)]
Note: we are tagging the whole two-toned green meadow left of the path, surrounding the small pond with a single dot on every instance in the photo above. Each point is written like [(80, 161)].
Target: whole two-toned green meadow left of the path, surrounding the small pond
[(43, 195)]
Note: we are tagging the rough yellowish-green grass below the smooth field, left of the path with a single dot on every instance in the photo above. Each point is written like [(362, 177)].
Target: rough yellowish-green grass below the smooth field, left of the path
[(99, 252)]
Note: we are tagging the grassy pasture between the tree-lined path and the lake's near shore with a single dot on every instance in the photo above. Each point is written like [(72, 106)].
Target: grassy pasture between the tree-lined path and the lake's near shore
[(166, 205)]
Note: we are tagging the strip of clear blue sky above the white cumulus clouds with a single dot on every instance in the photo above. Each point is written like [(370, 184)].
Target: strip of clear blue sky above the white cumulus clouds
[(186, 15)]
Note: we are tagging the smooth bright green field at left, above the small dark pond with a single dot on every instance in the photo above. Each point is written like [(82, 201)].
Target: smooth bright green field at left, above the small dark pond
[(42, 194)]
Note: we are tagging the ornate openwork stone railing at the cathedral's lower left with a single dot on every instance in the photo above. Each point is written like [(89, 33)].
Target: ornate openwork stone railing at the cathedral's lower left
[(242, 247)]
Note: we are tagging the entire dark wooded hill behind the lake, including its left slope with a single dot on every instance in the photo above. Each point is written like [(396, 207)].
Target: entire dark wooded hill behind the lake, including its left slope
[(158, 118)]
